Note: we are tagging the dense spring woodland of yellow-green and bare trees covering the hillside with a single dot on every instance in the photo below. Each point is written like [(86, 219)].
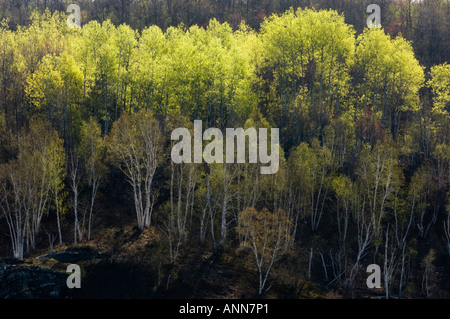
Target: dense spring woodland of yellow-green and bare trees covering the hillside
[(85, 122)]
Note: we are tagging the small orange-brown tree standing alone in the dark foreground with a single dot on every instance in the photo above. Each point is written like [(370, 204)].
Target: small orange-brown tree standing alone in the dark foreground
[(265, 233)]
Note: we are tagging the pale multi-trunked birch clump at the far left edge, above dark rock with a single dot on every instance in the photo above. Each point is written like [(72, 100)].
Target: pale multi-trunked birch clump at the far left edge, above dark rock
[(25, 186)]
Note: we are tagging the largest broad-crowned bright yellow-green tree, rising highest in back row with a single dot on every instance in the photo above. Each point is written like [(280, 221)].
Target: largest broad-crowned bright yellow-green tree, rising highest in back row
[(307, 55)]
